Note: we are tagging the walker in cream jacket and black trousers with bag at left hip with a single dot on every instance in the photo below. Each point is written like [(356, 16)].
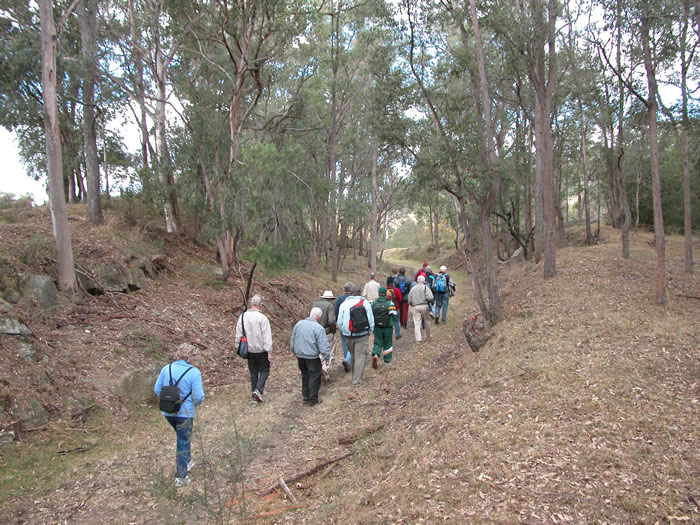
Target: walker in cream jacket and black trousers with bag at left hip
[(259, 336)]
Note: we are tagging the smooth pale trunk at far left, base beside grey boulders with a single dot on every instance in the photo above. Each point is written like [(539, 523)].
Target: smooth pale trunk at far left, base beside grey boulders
[(59, 218)]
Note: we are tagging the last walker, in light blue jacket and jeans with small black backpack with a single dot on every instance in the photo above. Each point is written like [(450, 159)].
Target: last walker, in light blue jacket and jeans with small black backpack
[(189, 380)]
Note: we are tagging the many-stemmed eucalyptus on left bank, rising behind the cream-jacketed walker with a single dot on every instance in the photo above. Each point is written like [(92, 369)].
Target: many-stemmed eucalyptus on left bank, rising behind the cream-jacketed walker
[(227, 64)]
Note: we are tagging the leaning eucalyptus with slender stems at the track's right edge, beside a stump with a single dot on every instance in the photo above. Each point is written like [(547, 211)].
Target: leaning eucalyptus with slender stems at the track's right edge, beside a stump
[(464, 148)]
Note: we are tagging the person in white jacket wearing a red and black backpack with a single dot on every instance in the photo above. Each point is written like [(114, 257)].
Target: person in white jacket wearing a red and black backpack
[(356, 322)]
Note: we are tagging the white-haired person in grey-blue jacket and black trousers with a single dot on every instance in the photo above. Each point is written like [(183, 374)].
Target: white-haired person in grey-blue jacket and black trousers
[(308, 342)]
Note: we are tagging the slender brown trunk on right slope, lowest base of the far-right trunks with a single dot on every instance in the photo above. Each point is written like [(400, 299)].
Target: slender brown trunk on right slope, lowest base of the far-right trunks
[(652, 107)]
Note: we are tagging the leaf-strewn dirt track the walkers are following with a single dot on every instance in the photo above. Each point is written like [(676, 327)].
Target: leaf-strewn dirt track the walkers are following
[(239, 448)]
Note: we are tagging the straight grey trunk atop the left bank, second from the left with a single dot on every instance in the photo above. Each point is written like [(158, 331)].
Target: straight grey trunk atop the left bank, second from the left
[(87, 18)]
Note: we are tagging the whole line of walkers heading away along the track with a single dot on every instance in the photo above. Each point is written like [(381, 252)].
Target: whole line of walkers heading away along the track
[(381, 310)]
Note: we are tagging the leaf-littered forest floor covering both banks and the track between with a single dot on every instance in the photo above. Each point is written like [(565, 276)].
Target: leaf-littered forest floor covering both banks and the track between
[(584, 407)]
